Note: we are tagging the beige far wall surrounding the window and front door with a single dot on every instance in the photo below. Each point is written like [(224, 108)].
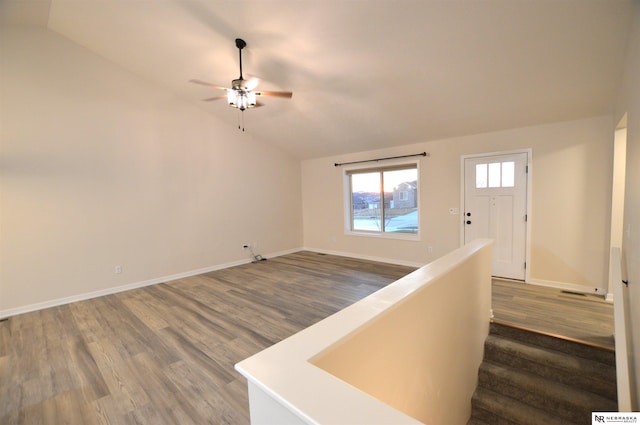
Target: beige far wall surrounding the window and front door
[(572, 175)]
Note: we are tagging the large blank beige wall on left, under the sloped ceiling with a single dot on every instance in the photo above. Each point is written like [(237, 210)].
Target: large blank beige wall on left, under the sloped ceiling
[(100, 168)]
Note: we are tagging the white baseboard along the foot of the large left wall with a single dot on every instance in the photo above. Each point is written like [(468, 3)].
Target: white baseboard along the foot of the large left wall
[(114, 290)]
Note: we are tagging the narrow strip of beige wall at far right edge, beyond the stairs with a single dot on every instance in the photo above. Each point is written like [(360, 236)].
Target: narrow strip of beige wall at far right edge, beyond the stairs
[(629, 102)]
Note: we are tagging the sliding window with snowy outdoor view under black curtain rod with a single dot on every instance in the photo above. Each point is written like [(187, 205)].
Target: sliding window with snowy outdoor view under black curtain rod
[(383, 200)]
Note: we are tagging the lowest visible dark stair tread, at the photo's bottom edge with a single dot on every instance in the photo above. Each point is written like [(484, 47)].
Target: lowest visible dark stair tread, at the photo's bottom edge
[(511, 410)]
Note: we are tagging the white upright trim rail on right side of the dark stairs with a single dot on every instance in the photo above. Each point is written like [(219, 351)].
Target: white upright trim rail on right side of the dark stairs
[(621, 331)]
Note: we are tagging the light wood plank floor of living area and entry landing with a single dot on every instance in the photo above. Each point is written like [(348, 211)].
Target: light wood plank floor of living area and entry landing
[(164, 354)]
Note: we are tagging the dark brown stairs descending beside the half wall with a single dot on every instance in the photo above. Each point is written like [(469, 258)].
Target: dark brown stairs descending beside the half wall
[(533, 378)]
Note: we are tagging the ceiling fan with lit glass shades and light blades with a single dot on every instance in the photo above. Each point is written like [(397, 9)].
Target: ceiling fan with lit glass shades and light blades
[(242, 94)]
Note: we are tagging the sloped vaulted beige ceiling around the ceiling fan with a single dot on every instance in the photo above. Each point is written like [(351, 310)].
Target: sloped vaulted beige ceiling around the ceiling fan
[(365, 74)]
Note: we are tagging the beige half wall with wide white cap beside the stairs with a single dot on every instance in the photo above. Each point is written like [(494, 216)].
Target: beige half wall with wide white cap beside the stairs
[(387, 358)]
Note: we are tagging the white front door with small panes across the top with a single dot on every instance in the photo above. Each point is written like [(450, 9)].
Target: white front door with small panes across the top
[(495, 206)]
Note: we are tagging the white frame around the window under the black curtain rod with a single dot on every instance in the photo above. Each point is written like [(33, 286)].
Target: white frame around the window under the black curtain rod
[(348, 202)]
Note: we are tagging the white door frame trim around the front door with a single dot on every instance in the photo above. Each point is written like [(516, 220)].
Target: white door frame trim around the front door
[(529, 197)]
